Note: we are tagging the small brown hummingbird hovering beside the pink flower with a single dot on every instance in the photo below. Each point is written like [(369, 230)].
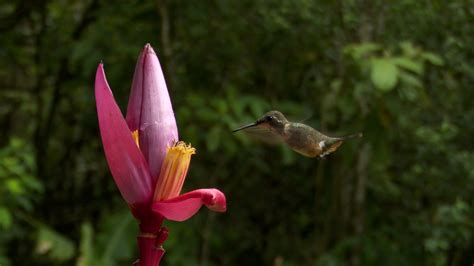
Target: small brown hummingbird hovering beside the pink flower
[(300, 137)]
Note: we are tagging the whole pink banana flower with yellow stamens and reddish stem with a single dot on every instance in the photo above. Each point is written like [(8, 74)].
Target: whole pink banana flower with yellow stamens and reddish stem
[(146, 158)]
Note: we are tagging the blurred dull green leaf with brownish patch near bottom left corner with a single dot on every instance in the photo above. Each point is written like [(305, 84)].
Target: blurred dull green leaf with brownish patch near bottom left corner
[(53, 244)]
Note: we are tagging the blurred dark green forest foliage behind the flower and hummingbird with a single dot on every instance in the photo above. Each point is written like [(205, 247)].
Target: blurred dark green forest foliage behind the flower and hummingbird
[(401, 72)]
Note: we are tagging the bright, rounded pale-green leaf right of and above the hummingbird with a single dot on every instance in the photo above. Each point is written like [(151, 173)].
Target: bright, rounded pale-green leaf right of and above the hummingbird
[(384, 74)]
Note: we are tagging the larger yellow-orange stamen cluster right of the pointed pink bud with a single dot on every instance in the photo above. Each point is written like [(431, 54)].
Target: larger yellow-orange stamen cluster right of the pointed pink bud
[(173, 171)]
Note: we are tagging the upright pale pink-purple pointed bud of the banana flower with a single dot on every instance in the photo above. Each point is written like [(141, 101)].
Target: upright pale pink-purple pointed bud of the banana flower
[(150, 112)]
